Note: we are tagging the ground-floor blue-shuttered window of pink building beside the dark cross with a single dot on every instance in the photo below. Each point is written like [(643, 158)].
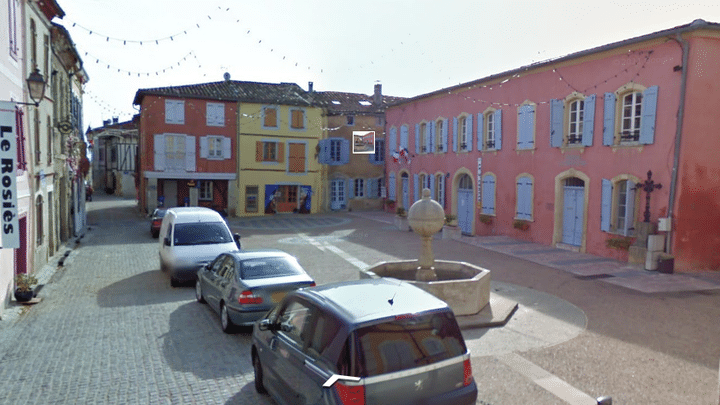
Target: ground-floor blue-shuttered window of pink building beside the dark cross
[(618, 205)]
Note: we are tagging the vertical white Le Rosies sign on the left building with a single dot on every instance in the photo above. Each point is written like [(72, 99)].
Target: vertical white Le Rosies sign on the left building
[(9, 226)]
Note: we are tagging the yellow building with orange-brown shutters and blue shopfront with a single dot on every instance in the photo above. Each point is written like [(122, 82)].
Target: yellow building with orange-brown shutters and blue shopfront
[(278, 134)]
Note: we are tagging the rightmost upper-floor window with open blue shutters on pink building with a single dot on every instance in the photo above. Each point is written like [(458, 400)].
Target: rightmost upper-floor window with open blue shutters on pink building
[(635, 109)]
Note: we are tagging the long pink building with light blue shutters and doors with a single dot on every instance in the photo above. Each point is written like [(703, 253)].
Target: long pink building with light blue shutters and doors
[(559, 152)]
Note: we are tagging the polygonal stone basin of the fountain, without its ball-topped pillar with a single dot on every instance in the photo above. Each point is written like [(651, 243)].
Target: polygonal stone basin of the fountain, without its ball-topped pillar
[(463, 286)]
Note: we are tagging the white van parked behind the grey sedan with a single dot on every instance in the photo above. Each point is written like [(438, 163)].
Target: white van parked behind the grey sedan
[(191, 237)]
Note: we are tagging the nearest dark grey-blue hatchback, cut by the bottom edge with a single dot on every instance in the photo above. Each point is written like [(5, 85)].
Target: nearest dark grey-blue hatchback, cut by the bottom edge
[(371, 341)]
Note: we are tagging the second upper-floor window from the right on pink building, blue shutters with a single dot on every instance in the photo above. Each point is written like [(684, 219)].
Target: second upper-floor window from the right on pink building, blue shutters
[(572, 121)]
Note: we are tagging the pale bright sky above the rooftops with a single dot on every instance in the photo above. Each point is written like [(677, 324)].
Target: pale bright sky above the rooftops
[(411, 47)]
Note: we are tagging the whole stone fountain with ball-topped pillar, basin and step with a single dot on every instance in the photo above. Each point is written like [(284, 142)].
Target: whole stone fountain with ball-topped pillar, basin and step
[(463, 286)]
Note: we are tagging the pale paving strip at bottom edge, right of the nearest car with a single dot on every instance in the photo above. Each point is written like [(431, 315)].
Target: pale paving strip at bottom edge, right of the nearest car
[(550, 382)]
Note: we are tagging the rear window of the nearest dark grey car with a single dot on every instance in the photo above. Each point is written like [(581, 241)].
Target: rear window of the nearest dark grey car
[(407, 342)]
